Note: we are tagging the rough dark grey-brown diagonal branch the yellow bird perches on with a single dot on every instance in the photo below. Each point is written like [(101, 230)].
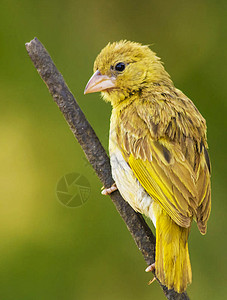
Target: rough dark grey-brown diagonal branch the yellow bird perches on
[(94, 152)]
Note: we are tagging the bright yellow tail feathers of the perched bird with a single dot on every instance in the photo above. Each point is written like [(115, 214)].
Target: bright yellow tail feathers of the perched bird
[(172, 263)]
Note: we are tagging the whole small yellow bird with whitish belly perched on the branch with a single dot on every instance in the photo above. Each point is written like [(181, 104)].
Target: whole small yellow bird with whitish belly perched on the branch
[(158, 152)]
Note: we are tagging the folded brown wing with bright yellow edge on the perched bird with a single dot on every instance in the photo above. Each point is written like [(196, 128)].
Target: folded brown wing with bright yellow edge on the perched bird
[(173, 171)]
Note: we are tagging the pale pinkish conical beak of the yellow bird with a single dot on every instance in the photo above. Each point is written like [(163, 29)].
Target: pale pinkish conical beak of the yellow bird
[(98, 83)]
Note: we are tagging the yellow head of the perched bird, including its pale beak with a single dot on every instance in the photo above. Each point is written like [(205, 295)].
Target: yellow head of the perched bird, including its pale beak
[(125, 68)]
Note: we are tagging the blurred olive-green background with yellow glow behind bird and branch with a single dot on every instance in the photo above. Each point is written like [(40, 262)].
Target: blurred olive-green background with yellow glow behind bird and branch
[(49, 251)]
